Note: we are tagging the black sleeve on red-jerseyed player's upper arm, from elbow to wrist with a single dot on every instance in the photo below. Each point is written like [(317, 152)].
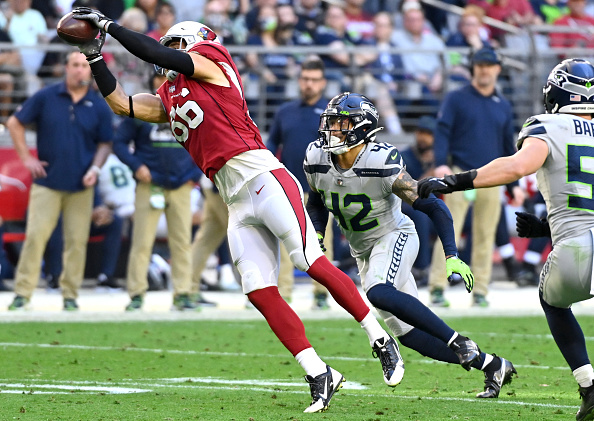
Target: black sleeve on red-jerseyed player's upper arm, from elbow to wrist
[(150, 50)]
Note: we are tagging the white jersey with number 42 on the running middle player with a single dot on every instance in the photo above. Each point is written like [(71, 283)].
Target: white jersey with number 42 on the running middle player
[(361, 197)]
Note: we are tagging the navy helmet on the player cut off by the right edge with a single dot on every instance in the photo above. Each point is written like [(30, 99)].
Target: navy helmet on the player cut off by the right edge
[(570, 88)]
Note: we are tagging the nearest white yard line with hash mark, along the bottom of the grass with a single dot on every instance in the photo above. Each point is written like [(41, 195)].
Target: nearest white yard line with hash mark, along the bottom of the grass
[(245, 385)]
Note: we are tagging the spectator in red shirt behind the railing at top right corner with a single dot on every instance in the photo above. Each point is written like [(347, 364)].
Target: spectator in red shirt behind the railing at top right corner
[(577, 18)]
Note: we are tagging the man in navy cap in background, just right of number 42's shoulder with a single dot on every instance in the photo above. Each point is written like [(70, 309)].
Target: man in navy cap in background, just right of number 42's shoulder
[(419, 160)]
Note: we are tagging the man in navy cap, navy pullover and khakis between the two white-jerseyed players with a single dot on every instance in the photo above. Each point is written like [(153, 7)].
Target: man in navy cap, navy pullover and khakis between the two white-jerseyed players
[(474, 126)]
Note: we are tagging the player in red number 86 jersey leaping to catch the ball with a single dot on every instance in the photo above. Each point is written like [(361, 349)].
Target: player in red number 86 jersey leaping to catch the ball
[(203, 100)]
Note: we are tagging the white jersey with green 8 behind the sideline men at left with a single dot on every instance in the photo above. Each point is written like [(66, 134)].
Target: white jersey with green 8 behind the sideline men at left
[(117, 186)]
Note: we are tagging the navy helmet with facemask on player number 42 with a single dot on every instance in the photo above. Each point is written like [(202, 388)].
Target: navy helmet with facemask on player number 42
[(355, 116)]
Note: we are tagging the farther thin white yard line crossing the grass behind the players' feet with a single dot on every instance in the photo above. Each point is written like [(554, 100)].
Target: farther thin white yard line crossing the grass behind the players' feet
[(229, 354)]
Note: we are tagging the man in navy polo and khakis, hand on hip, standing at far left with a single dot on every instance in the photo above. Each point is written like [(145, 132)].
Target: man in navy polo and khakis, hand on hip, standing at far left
[(74, 134)]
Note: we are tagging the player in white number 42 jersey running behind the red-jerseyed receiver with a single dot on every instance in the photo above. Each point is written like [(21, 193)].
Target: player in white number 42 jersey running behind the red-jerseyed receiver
[(363, 182)]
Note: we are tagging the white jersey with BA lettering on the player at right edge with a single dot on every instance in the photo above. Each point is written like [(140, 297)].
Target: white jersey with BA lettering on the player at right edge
[(567, 175)]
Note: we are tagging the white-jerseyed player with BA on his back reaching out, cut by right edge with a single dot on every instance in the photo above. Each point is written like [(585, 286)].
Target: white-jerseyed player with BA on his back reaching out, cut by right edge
[(559, 147)]
